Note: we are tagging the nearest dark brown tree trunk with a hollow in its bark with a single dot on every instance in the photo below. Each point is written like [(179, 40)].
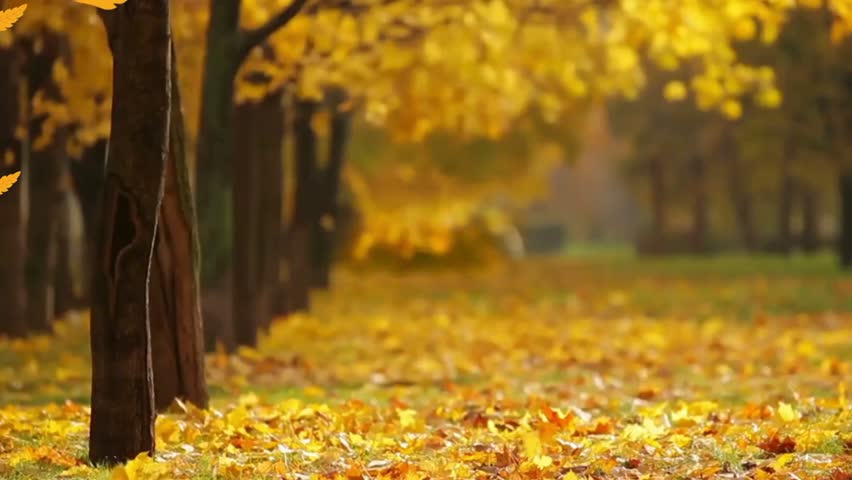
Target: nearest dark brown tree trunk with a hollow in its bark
[(123, 413)]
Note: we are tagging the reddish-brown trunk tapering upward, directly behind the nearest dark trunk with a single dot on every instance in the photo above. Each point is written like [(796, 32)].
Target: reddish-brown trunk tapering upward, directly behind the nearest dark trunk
[(177, 340)]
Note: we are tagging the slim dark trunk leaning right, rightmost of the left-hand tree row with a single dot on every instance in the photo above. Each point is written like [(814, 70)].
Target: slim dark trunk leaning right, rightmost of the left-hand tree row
[(326, 223)]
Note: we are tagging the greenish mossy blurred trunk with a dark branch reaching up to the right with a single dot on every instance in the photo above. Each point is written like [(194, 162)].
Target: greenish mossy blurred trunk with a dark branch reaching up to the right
[(214, 192)]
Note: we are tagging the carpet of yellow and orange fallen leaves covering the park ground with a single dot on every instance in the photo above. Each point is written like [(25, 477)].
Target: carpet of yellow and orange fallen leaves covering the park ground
[(543, 370)]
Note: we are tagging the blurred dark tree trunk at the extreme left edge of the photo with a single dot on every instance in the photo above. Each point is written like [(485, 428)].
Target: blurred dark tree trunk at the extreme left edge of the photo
[(12, 246)]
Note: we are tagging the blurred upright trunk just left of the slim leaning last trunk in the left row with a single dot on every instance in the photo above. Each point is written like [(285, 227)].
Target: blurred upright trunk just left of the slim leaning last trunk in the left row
[(305, 209)]
